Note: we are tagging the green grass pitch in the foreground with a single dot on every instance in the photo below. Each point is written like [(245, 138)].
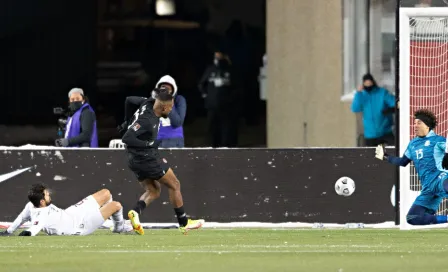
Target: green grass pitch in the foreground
[(230, 250)]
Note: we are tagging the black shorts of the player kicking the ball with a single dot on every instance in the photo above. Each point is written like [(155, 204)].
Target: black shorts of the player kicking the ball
[(150, 166)]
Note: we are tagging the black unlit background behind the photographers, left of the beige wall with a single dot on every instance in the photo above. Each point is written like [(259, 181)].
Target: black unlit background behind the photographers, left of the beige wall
[(116, 48)]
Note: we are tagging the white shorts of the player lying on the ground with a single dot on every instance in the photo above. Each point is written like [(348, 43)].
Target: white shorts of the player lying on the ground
[(86, 216)]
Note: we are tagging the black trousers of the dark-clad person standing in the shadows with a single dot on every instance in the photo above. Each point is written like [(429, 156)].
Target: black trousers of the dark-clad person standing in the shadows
[(223, 128)]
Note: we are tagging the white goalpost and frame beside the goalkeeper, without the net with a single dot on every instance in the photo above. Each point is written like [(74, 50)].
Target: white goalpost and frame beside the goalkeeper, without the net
[(407, 197)]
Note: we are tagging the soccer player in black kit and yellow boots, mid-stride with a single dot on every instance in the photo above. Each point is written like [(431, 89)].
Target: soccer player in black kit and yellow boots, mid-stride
[(144, 160)]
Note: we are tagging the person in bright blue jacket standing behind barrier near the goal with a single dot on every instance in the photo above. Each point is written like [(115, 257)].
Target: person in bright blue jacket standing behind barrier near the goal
[(377, 106)]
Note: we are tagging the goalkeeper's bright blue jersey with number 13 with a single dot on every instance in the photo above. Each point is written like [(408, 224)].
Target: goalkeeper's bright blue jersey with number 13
[(427, 154)]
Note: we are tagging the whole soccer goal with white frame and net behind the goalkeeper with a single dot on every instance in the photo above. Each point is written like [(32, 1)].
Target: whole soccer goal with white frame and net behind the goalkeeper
[(423, 84)]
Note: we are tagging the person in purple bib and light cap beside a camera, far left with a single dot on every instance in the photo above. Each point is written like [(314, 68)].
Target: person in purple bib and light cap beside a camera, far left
[(81, 130)]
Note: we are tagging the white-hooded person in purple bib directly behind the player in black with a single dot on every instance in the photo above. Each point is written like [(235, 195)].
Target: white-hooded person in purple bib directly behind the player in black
[(171, 133)]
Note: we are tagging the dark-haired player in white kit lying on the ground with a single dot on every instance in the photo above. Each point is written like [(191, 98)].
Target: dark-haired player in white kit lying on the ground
[(82, 218)]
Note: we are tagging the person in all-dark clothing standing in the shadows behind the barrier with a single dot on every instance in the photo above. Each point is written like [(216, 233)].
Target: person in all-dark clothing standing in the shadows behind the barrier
[(218, 87)]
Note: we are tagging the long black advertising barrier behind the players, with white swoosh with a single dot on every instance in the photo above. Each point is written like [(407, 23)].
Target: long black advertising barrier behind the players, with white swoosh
[(222, 185)]
